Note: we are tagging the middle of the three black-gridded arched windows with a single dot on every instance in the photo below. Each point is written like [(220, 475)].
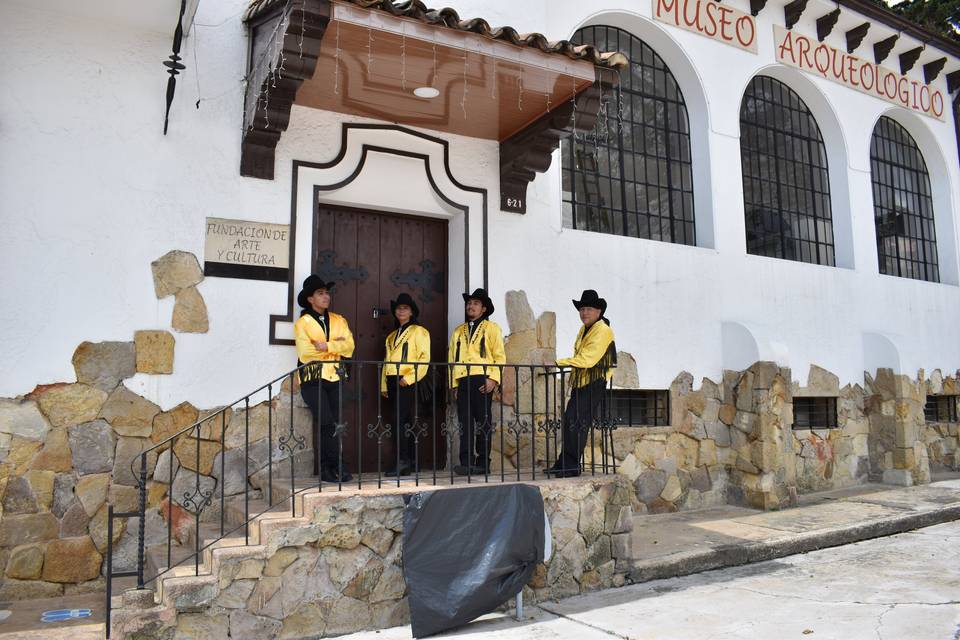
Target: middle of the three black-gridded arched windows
[(786, 189)]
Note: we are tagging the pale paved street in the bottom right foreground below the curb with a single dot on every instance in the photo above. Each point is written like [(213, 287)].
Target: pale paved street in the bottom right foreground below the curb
[(901, 587)]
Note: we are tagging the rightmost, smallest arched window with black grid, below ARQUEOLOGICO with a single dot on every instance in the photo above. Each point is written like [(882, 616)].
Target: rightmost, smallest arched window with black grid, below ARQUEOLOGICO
[(902, 205)]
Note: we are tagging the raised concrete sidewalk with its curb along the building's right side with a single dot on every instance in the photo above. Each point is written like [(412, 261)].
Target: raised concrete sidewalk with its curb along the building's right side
[(678, 544)]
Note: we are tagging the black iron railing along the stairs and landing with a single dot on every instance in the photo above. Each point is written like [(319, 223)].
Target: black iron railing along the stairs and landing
[(516, 435)]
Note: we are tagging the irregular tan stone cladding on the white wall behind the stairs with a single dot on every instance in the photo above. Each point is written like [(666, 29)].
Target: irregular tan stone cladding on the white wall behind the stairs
[(66, 450)]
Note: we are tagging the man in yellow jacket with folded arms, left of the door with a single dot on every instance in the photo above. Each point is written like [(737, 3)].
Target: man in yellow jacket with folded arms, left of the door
[(322, 338)]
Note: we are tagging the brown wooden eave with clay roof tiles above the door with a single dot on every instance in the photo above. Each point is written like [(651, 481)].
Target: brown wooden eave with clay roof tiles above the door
[(366, 57)]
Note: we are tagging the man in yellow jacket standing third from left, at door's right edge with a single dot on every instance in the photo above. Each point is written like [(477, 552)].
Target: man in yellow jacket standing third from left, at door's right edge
[(476, 356)]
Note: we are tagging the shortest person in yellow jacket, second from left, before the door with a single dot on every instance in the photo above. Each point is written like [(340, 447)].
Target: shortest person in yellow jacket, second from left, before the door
[(408, 343)]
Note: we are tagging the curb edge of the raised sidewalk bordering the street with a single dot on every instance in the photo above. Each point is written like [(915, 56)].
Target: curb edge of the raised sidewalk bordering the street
[(749, 552)]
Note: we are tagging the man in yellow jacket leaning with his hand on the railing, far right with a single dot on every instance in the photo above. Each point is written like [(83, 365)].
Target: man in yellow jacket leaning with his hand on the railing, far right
[(594, 357)]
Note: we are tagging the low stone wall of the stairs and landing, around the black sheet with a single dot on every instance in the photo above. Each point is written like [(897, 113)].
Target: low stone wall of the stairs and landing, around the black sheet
[(340, 569)]
